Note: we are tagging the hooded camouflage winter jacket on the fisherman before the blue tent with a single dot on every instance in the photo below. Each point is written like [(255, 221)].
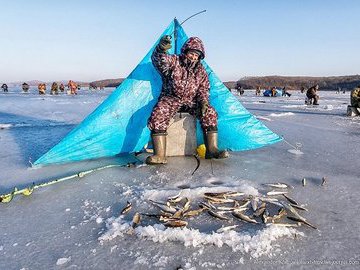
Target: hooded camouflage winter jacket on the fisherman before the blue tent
[(188, 84)]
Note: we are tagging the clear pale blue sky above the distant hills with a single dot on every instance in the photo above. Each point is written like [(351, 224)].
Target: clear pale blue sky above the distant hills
[(90, 40)]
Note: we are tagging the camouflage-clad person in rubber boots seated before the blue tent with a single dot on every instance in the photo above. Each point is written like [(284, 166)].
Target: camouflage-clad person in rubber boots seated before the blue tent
[(185, 87)]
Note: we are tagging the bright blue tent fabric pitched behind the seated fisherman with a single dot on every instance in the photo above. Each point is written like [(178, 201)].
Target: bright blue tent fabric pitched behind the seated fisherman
[(119, 124)]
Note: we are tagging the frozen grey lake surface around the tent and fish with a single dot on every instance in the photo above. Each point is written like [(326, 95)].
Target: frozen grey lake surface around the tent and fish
[(76, 224)]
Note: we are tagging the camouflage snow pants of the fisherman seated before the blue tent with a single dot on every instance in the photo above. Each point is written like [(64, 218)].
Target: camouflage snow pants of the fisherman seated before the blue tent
[(167, 107)]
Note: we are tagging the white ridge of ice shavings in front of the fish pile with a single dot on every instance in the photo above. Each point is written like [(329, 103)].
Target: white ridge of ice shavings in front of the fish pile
[(257, 245)]
